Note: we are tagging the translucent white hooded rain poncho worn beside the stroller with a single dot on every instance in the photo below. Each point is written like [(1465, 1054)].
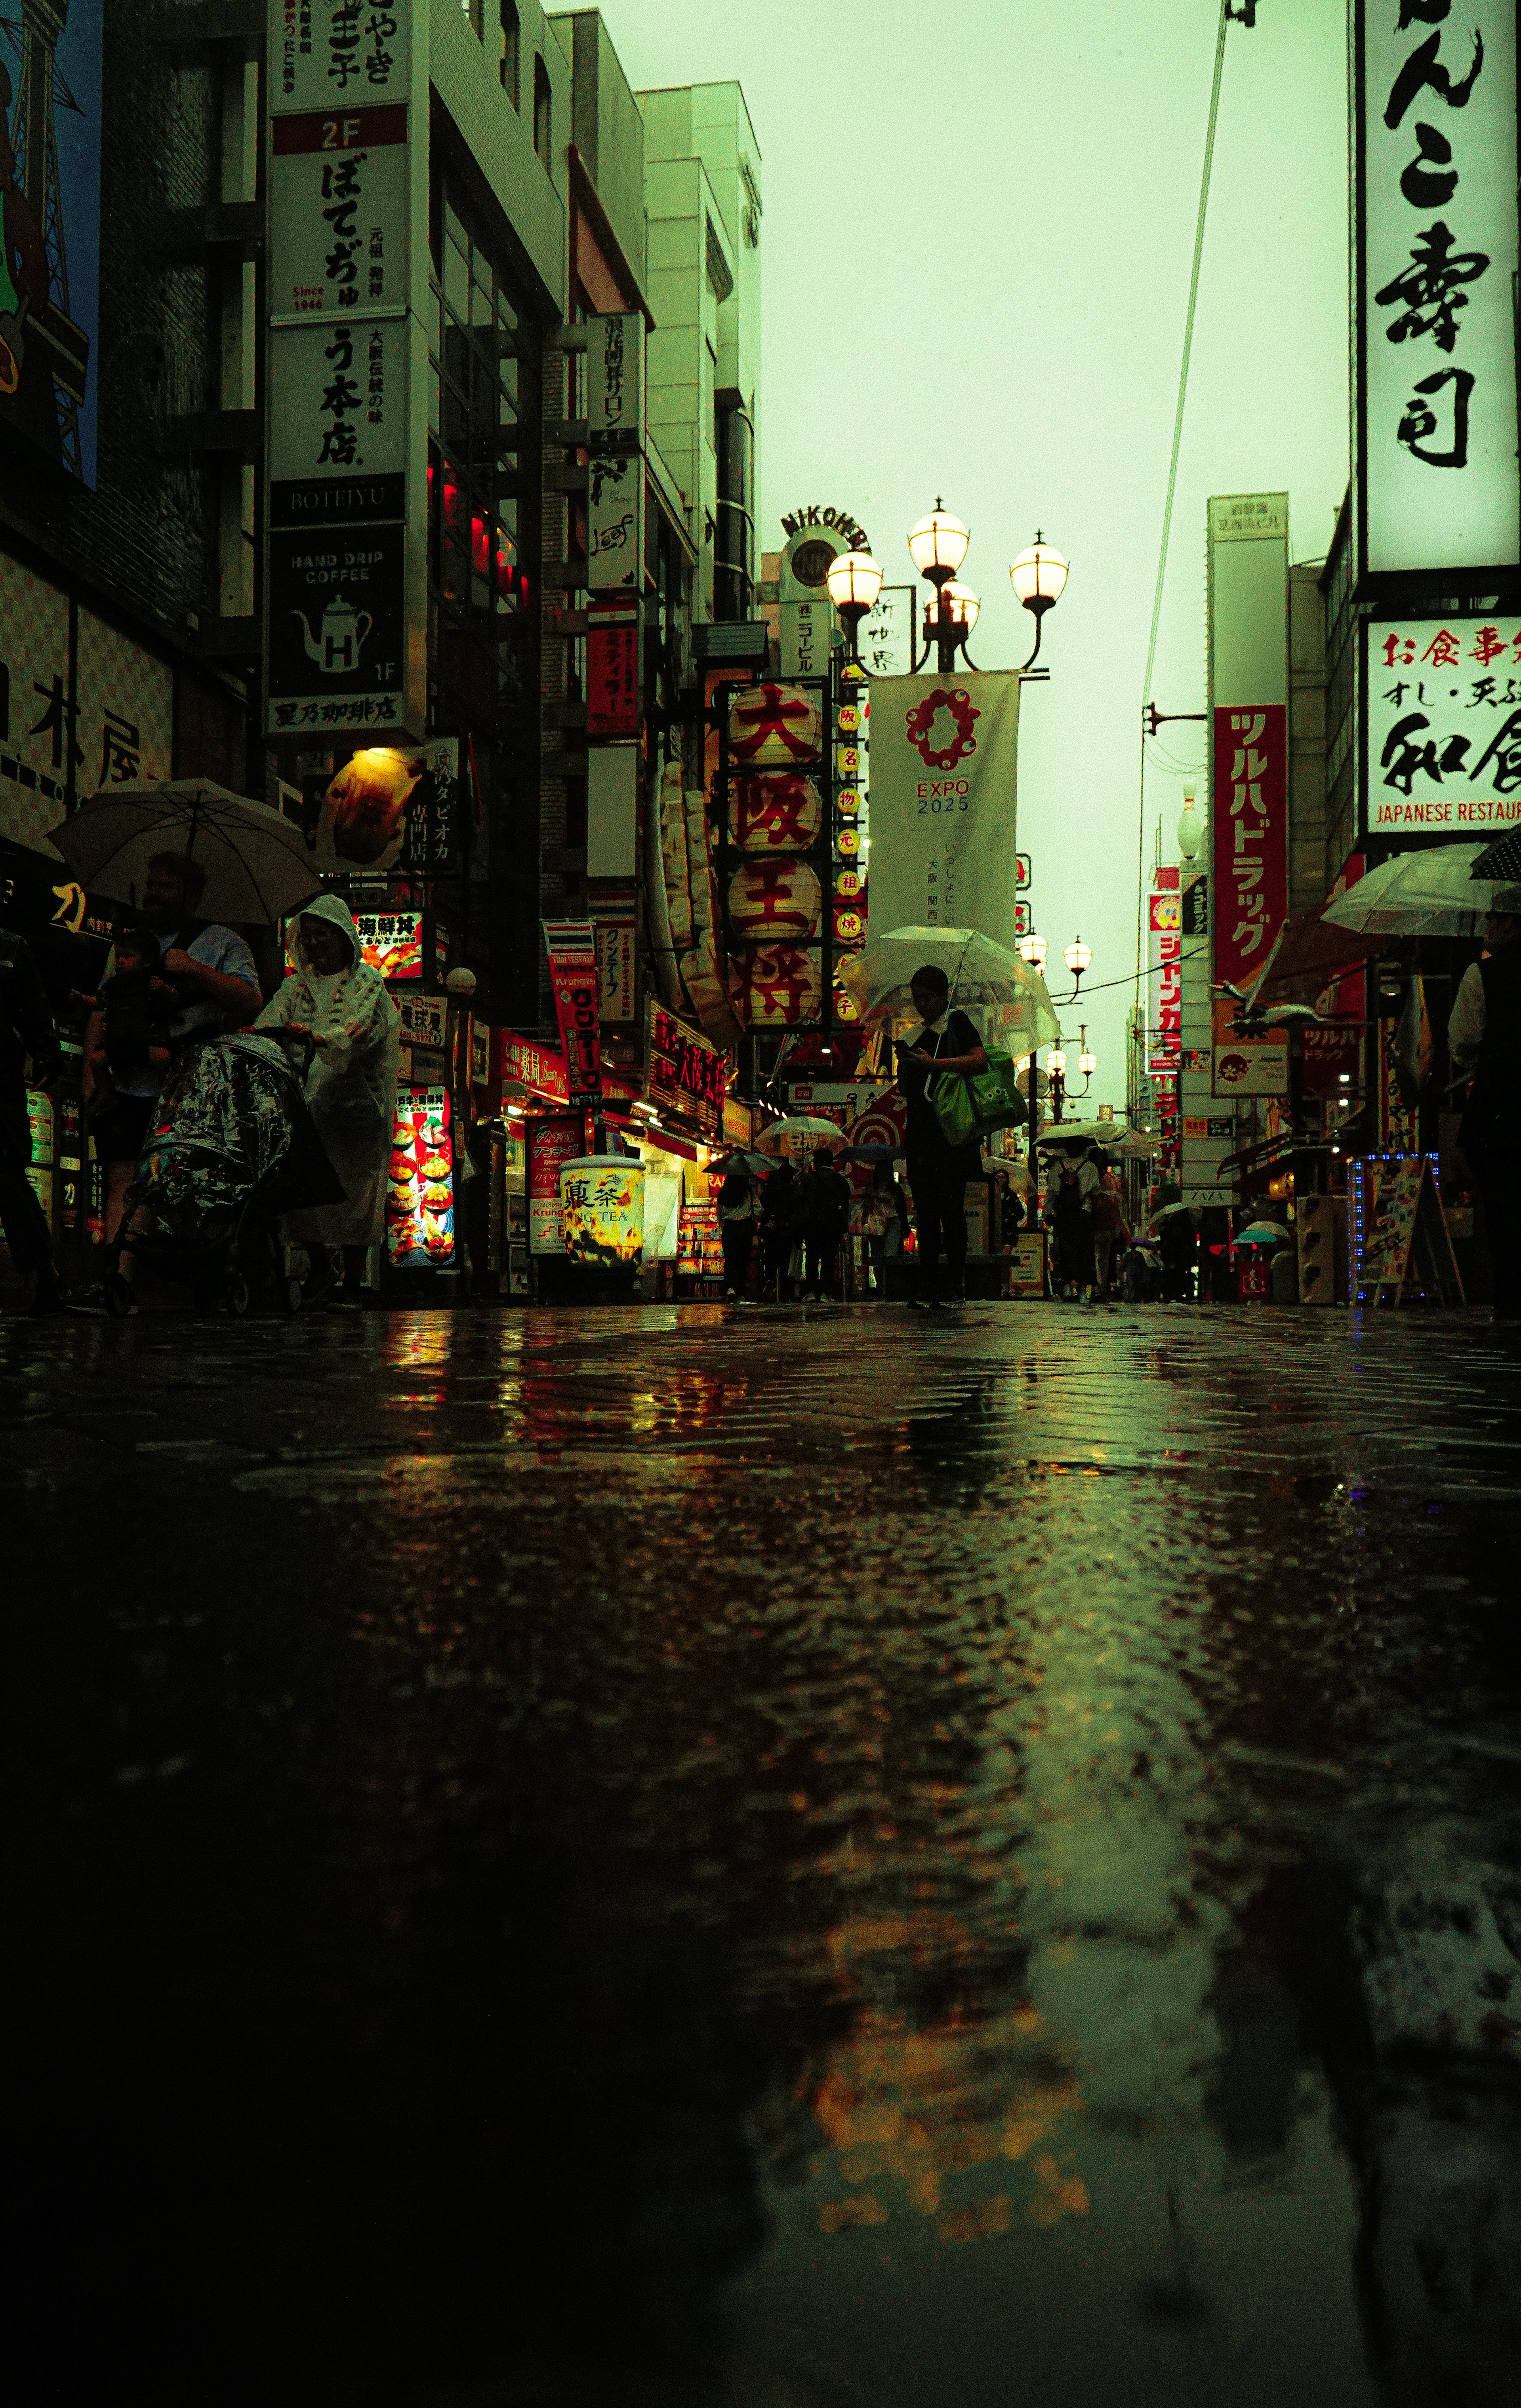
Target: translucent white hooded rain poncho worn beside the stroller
[(351, 1085)]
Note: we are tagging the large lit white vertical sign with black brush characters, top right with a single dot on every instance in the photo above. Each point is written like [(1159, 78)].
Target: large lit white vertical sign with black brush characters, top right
[(1435, 196)]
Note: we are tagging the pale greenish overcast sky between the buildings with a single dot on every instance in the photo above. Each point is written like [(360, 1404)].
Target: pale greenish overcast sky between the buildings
[(977, 242)]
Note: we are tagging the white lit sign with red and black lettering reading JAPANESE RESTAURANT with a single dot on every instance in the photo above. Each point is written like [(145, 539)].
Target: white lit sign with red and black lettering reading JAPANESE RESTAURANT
[(1443, 724)]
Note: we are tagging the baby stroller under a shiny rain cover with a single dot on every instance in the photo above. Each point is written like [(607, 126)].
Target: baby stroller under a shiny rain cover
[(233, 1147)]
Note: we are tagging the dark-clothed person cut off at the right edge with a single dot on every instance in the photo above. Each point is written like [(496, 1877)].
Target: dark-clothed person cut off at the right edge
[(1486, 1044)]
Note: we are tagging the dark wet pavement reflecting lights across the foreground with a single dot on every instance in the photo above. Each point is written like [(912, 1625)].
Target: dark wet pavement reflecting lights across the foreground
[(768, 1860)]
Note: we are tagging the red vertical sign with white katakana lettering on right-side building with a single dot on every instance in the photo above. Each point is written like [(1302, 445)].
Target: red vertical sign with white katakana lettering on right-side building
[(1252, 839)]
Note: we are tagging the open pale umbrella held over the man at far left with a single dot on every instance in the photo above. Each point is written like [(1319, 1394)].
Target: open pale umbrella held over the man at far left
[(254, 861)]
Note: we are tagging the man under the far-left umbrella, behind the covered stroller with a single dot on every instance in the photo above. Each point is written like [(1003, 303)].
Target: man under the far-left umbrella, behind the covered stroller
[(216, 986)]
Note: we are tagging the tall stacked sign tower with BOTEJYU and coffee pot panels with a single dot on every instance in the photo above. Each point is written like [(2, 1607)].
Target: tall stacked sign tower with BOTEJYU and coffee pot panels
[(346, 584)]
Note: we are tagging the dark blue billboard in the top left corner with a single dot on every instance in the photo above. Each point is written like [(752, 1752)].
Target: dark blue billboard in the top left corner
[(52, 254)]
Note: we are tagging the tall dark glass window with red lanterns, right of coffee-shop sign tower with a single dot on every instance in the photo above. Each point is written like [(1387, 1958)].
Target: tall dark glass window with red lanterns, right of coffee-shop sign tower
[(483, 480)]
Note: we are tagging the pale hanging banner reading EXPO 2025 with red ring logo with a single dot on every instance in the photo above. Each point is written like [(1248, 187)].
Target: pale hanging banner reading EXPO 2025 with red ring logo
[(944, 803)]
